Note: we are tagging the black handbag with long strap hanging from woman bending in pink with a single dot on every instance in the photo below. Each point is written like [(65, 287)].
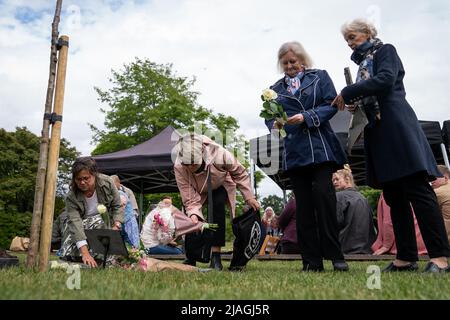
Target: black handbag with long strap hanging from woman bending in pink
[(198, 245)]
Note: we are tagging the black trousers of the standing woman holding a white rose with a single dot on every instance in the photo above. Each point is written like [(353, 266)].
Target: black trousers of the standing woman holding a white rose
[(317, 227)]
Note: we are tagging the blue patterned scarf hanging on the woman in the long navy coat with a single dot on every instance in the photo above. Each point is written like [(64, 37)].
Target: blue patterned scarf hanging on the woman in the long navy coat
[(363, 56)]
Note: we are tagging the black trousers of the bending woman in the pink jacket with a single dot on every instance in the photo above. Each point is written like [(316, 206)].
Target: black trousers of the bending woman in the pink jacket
[(220, 198)]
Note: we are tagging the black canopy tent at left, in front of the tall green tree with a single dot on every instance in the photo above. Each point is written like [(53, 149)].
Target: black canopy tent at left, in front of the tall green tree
[(146, 167)]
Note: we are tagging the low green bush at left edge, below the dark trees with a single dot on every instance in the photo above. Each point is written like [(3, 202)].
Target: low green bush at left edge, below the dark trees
[(14, 224)]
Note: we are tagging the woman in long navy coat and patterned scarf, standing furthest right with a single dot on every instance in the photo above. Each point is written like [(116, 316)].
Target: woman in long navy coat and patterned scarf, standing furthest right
[(398, 156)]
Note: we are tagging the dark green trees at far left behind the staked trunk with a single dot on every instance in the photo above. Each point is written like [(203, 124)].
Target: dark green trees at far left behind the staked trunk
[(19, 153)]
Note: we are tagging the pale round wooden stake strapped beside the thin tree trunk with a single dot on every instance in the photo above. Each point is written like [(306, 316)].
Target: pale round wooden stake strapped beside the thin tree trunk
[(53, 155)]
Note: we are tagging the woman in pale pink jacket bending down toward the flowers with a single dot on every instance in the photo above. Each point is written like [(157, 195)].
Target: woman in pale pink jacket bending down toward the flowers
[(198, 157)]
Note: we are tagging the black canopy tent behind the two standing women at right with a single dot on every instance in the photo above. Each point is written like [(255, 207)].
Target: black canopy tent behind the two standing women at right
[(263, 147)]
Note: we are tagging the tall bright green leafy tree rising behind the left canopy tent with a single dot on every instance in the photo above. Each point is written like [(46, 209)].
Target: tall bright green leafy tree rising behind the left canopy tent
[(144, 99)]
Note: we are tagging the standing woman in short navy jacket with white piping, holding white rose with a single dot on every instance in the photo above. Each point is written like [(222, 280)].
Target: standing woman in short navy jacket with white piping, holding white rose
[(312, 154)]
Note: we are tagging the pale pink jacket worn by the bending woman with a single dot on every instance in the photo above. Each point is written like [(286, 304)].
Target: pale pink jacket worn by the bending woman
[(225, 171)]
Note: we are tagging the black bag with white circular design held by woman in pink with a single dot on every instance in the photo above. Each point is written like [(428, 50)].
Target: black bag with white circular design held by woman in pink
[(247, 232)]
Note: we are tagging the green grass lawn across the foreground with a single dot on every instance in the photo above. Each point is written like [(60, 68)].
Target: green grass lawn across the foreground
[(265, 280)]
